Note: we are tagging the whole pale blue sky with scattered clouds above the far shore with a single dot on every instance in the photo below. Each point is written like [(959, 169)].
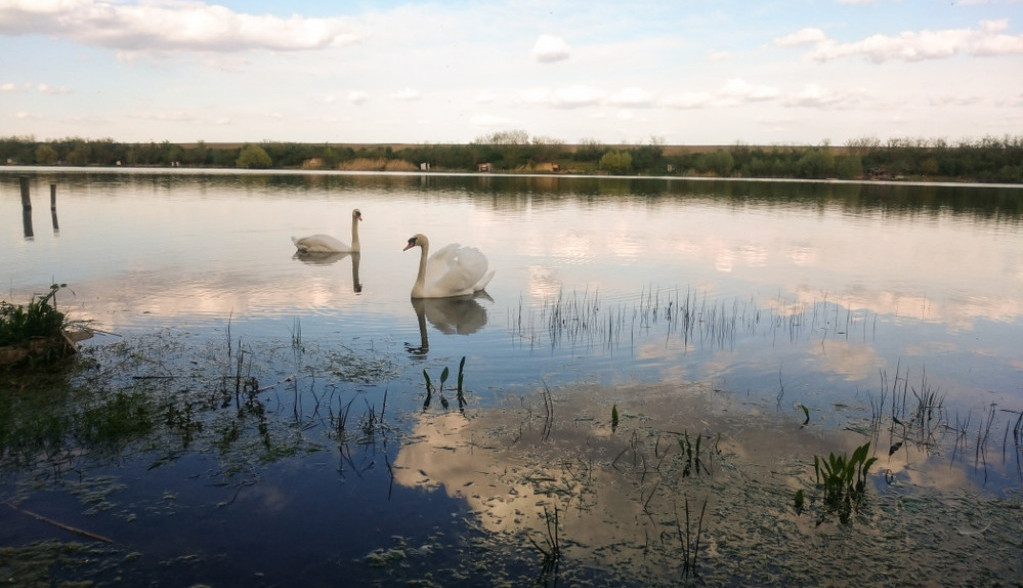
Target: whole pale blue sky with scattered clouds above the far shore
[(686, 72)]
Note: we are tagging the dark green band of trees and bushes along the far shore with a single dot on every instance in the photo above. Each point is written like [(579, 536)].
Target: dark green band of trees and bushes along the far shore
[(988, 160)]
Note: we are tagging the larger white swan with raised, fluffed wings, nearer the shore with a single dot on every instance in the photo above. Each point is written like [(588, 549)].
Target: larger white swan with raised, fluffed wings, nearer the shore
[(454, 270)]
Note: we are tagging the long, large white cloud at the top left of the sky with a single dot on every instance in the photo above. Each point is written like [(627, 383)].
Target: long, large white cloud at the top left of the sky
[(172, 26)]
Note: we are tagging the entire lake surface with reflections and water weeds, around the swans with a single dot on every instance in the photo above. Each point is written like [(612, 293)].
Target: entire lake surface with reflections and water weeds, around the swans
[(646, 385)]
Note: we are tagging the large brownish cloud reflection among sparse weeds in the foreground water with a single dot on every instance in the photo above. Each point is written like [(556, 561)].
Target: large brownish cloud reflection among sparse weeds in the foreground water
[(605, 484)]
